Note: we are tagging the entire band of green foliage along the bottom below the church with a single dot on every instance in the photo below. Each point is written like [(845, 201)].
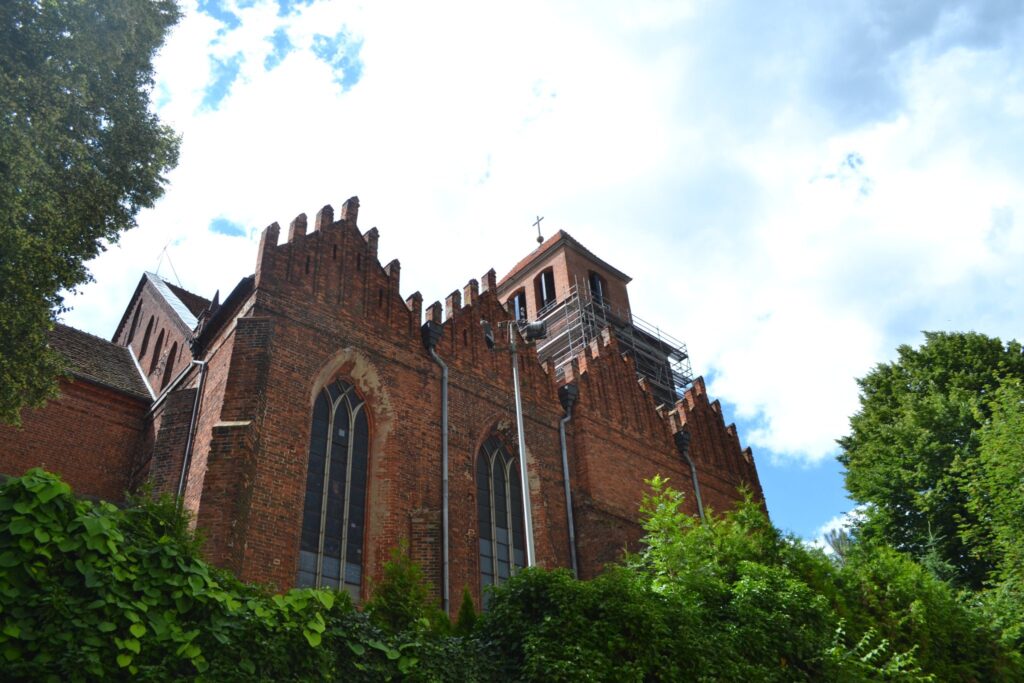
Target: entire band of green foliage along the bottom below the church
[(92, 592)]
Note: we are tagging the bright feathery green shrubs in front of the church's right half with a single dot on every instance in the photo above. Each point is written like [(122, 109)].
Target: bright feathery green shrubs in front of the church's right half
[(735, 601)]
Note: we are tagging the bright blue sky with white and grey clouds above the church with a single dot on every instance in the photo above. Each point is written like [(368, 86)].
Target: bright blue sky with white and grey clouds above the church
[(796, 189)]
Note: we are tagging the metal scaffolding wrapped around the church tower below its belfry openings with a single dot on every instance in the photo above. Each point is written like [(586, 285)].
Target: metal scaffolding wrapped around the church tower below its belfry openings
[(575, 322)]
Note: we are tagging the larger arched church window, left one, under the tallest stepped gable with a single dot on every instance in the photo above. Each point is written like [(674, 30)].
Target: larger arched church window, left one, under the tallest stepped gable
[(331, 547)]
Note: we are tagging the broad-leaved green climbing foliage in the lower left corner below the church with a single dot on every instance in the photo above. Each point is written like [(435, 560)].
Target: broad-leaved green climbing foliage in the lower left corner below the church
[(91, 592)]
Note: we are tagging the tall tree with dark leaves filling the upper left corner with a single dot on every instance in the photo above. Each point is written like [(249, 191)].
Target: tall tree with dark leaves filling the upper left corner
[(80, 154)]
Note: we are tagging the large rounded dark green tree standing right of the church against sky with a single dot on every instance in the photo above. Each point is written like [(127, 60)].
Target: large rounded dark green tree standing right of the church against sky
[(916, 436)]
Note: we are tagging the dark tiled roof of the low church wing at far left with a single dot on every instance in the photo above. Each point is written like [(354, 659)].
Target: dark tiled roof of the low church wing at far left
[(99, 361)]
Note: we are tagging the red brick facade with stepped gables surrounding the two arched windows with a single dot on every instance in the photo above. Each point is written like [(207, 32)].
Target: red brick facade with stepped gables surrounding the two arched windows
[(325, 309)]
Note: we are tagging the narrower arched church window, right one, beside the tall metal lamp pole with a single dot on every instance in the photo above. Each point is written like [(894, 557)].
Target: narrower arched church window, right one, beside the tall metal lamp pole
[(499, 505)]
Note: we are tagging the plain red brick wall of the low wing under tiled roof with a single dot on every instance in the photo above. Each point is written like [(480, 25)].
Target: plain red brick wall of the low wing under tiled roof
[(91, 437)]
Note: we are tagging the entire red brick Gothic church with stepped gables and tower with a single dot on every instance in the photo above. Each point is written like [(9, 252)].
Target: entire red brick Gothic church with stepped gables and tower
[(313, 419)]
